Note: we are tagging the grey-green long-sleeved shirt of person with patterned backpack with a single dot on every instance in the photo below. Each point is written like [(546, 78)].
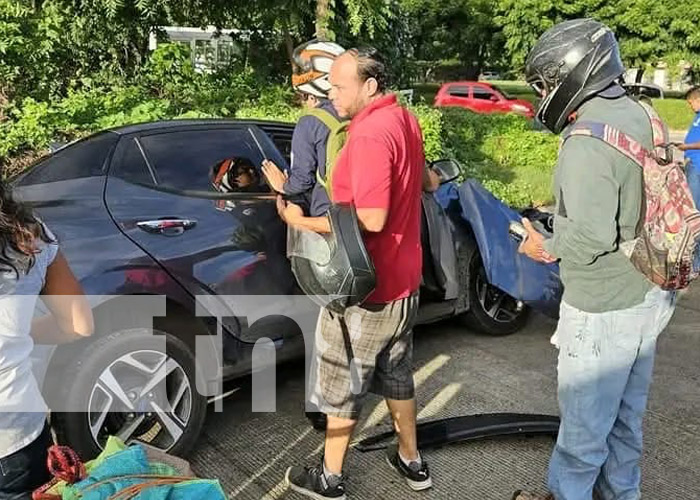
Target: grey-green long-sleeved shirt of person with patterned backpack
[(598, 195)]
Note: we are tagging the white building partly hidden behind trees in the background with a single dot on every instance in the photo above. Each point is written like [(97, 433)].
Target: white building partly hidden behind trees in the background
[(209, 47)]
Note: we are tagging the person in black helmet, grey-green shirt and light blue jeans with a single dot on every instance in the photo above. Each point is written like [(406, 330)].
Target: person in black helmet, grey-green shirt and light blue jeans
[(611, 315)]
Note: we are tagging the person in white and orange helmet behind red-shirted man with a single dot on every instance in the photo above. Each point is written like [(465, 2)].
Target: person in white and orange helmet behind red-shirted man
[(311, 134)]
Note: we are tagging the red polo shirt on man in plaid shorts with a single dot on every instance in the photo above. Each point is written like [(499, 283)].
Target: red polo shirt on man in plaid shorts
[(381, 166)]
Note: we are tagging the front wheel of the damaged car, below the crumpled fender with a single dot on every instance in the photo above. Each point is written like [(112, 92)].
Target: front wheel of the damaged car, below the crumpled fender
[(491, 311)]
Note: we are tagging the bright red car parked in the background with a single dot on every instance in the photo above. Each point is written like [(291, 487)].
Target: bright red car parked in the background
[(482, 97)]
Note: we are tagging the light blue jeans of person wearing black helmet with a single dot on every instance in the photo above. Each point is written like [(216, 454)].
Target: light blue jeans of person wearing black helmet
[(605, 368)]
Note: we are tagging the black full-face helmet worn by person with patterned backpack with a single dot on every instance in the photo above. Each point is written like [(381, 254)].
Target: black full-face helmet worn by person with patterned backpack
[(570, 63)]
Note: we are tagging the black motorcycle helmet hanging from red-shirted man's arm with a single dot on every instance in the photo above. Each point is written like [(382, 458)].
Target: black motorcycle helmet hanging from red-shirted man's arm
[(333, 269)]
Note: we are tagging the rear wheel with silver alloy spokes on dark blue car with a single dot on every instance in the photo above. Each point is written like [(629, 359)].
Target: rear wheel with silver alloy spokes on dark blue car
[(130, 358)]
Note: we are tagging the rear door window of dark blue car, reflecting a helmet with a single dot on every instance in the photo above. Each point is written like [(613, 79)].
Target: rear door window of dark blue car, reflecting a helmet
[(225, 160)]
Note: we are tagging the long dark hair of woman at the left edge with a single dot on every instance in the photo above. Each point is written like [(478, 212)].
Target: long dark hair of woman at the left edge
[(19, 231)]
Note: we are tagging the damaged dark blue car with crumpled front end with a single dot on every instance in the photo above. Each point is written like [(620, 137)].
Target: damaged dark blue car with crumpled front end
[(180, 210)]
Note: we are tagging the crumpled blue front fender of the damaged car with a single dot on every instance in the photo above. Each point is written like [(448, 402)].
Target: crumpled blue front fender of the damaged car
[(534, 283)]
